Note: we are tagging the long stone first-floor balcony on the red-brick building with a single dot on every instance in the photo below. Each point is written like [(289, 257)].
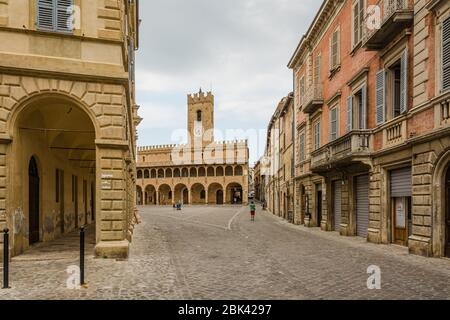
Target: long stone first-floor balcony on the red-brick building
[(353, 148)]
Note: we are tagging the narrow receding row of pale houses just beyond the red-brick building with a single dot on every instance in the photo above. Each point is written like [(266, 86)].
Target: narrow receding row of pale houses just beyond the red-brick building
[(278, 166)]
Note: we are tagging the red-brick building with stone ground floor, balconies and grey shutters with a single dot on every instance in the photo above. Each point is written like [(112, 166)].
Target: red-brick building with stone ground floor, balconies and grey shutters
[(372, 147)]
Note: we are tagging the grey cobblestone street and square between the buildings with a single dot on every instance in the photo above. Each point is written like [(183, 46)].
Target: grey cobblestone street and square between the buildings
[(218, 253)]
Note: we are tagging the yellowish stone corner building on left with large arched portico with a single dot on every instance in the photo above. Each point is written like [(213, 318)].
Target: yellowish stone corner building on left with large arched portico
[(68, 121)]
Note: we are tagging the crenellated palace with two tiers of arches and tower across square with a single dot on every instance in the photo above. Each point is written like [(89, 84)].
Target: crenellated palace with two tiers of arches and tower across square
[(203, 171)]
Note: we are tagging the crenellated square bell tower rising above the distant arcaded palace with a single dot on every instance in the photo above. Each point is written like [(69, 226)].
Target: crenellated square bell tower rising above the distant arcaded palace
[(201, 118)]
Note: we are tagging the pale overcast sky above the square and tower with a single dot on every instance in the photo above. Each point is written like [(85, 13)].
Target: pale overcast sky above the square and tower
[(239, 48)]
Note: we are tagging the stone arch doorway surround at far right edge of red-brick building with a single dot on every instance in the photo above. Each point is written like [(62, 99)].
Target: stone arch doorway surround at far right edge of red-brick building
[(439, 204)]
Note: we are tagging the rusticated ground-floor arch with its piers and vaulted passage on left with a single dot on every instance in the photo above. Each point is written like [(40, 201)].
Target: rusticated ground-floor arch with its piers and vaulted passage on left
[(82, 166)]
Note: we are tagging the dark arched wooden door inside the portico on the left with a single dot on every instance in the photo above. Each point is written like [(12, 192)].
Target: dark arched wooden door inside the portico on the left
[(33, 201)]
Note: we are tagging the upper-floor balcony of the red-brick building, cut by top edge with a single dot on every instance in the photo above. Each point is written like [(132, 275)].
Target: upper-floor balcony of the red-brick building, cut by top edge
[(381, 25)]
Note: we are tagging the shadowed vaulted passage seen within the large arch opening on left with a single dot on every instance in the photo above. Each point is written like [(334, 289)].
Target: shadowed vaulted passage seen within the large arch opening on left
[(53, 148)]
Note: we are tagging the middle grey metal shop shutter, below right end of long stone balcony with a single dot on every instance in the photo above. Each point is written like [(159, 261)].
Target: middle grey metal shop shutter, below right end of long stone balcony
[(362, 205)]
